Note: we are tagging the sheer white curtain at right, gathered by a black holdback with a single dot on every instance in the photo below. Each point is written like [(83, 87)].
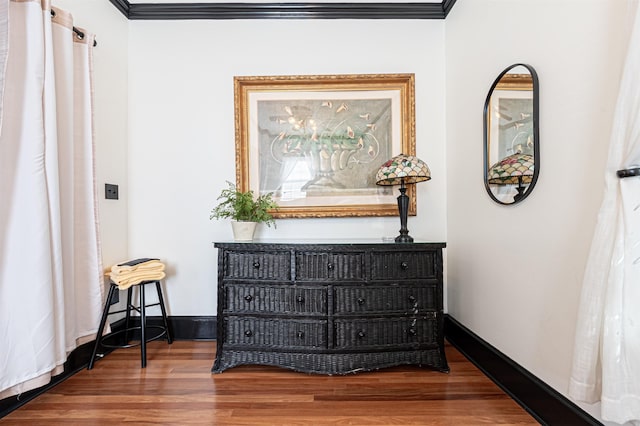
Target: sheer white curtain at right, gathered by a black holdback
[(606, 360)]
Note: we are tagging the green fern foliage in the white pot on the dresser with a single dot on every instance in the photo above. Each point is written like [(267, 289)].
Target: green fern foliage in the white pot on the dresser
[(243, 206)]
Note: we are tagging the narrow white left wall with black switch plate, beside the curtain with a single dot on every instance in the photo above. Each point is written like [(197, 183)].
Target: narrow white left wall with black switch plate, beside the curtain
[(110, 115)]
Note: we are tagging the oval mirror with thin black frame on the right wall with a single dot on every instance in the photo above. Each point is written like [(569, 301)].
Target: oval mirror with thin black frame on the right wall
[(511, 135)]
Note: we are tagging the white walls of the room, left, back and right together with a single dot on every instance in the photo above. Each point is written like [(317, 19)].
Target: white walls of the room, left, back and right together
[(179, 149)]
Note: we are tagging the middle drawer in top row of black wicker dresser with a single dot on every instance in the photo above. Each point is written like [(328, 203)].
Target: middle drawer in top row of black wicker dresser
[(330, 266)]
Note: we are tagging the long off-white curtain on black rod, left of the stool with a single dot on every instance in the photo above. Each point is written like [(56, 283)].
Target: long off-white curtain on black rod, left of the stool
[(51, 285)]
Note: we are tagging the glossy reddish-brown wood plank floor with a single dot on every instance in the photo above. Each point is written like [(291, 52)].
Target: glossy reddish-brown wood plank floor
[(177, 388)]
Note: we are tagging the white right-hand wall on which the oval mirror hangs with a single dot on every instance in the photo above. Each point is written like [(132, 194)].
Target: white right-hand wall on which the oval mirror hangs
[(515, 272)]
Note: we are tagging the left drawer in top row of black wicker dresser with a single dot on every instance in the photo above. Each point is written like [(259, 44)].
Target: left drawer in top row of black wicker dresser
[(265, 265)]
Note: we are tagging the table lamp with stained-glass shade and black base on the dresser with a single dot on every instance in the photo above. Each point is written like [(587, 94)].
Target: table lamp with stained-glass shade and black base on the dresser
[(401, 170)]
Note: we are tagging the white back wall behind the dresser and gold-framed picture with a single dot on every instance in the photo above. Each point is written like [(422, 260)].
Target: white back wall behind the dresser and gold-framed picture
[(181, 146)]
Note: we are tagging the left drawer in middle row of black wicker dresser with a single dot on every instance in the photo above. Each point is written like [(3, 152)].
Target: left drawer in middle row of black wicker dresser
[(275, 299)]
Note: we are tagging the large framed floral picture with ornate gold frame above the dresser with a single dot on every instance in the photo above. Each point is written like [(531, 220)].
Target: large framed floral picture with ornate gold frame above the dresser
[(316, 141)]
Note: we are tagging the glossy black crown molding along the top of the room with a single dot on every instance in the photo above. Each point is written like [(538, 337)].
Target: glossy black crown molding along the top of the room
[(219, 11)]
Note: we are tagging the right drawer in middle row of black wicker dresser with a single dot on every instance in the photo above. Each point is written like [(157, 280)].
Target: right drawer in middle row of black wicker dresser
[(384, 299)]
